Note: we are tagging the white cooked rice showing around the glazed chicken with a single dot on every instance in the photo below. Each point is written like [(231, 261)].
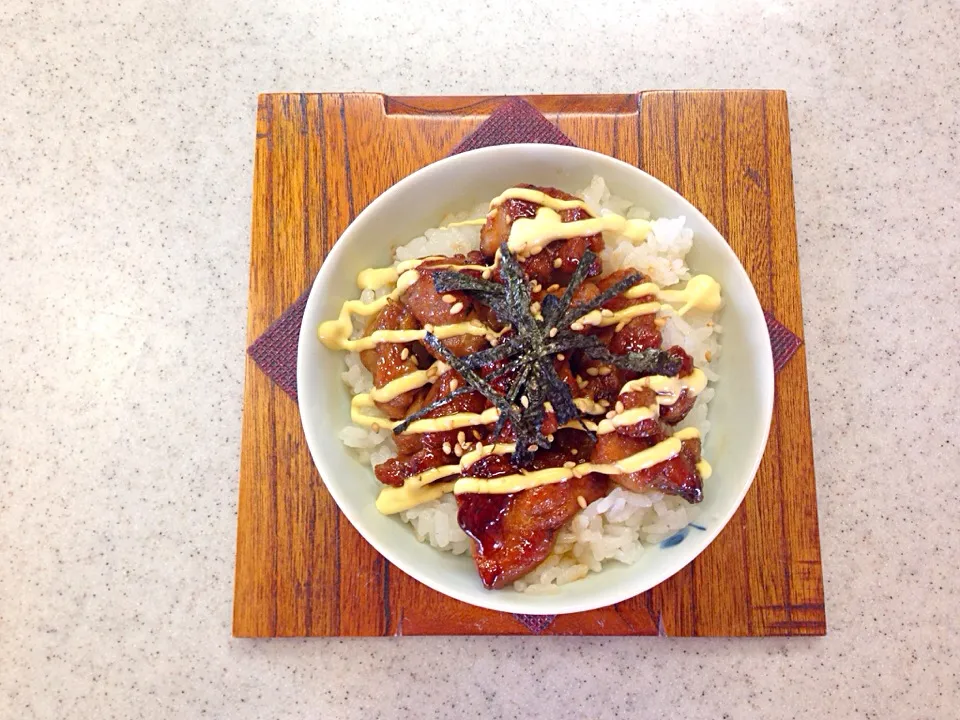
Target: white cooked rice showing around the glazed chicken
[(621, 525)]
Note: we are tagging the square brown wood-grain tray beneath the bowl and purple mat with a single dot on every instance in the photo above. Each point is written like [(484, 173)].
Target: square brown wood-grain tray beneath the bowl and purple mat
[(301, 567)]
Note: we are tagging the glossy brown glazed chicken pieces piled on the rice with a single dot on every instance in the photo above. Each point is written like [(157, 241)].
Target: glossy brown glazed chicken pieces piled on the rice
[(512, 533)]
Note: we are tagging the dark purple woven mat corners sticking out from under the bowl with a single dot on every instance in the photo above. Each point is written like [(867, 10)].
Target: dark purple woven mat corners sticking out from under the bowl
[(515, 121)]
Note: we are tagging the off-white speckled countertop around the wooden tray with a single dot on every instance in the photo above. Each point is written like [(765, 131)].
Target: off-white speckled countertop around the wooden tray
[(125, 174)]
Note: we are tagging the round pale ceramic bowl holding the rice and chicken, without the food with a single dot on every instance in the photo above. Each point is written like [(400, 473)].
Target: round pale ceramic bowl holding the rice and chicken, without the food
[(740, 413)]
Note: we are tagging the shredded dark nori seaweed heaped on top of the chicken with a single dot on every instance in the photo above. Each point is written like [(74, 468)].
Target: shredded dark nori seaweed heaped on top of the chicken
[(531, 349)]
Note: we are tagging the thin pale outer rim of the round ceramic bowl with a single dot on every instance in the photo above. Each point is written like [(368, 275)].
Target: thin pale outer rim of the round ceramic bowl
[(500, 601)]
